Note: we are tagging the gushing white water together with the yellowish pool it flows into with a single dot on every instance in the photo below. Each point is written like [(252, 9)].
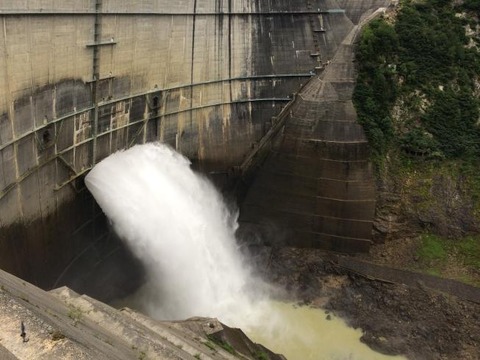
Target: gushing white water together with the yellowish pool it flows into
[(177, 224)]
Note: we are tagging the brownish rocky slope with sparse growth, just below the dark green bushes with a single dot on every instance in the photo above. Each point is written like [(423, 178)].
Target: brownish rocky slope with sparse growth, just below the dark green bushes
[(430, 197)]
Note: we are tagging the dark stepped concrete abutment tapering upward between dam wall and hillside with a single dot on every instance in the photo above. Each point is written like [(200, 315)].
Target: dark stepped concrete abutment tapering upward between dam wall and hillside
[(316, 188)]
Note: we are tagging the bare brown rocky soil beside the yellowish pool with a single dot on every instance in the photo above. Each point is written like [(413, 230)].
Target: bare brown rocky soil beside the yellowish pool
[(414, 321)]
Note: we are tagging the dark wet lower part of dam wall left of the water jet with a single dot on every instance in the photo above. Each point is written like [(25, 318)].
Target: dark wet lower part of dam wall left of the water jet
[(69, 247)]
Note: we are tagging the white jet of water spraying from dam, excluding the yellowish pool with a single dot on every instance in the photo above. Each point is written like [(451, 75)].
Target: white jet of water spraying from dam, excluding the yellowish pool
[(177, 224)]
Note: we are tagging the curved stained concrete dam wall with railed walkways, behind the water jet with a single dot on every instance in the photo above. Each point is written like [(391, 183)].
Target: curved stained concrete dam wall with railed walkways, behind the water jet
[(83, 79)]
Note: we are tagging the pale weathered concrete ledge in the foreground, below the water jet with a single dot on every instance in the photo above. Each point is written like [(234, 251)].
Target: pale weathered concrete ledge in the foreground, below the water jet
[(61, 324)]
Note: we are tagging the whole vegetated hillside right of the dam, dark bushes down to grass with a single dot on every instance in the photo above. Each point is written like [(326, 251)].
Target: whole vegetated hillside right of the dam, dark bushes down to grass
[(417, 97)]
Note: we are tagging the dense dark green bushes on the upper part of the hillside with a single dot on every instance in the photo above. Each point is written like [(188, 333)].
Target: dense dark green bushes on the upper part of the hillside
[(423, 70)]
